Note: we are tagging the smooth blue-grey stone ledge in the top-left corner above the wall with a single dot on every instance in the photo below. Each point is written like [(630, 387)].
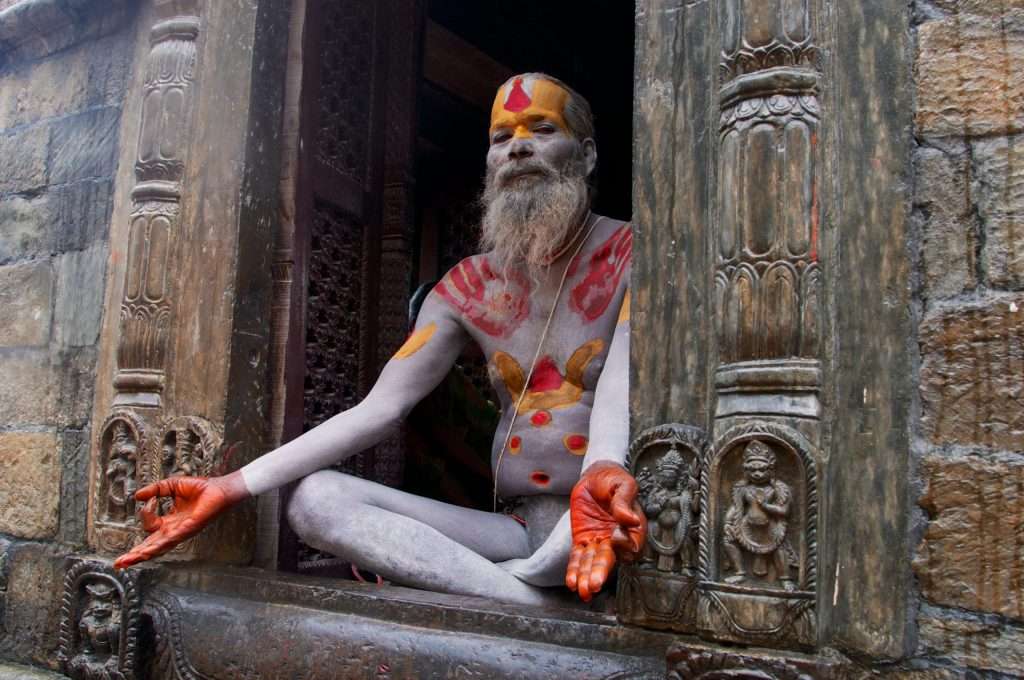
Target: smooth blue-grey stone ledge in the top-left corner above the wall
[(34, 29)]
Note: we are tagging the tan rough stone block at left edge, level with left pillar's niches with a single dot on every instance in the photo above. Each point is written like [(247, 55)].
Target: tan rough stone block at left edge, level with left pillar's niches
[(30, 484)]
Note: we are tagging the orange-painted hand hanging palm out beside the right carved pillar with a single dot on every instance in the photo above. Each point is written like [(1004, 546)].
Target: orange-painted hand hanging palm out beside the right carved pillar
[(608, 523)]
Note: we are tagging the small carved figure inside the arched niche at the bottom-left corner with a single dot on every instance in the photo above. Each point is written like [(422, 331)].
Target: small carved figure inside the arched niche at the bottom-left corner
[(100, 633)]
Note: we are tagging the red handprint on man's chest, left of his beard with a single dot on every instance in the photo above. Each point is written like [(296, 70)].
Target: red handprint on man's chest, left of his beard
[(496, 305)]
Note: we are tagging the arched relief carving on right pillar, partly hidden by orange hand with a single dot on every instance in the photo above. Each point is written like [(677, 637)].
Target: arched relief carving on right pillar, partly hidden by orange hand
[(661, 589)]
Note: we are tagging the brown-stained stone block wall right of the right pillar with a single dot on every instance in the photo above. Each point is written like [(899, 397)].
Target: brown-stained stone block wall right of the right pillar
[(969, 448)]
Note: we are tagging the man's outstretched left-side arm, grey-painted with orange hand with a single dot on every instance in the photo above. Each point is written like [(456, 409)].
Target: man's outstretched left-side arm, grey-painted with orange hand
[(415, 370)]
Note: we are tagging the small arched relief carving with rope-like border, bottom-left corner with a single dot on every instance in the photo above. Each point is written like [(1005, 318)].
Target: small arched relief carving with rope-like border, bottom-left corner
[(100, 619)]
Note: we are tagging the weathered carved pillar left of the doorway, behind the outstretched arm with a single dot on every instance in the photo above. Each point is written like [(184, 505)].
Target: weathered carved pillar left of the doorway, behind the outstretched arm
[(184, 345)]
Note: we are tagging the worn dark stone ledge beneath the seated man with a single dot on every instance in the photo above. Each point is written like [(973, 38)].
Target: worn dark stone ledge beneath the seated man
[(221, 620)]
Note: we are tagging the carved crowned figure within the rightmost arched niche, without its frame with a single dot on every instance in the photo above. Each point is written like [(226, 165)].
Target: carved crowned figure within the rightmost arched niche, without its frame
[(756, 524)]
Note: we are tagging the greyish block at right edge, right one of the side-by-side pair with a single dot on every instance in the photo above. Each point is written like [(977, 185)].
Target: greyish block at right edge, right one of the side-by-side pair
[(999, 190)]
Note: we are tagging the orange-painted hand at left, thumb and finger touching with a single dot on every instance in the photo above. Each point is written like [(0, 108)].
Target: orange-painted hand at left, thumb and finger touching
[(196, 502)]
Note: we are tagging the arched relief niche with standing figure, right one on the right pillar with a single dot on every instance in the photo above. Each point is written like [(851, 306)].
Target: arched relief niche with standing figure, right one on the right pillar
[(759, 538)]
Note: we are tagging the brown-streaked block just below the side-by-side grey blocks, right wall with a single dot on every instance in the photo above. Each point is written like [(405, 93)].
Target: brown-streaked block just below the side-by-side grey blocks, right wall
[(972, 390)]
